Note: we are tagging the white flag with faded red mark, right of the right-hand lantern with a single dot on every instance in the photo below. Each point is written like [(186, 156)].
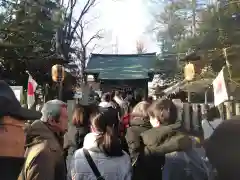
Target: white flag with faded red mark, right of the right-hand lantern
[(220, 89)]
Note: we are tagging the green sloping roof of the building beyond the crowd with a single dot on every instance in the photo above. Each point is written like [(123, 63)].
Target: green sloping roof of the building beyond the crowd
[(125, 66)]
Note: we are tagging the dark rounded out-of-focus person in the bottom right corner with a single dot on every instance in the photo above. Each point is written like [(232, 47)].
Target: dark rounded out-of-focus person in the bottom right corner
[(223, 150)]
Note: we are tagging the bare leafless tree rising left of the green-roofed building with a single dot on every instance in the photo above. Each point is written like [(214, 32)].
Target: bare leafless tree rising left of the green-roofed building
[(73, 31)]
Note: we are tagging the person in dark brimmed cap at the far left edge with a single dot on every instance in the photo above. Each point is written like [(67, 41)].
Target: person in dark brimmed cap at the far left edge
[(12, 134)]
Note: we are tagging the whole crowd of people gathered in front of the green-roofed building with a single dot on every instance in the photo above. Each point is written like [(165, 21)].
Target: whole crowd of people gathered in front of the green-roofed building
[(115, 139)]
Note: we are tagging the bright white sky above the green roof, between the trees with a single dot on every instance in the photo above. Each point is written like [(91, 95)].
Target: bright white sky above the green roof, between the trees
[(125, 22)]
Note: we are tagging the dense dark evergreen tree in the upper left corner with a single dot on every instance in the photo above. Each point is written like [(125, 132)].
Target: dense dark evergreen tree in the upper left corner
[(28, 41)]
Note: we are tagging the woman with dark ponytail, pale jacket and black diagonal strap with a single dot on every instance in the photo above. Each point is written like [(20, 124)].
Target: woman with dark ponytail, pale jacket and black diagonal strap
[(101, 156)]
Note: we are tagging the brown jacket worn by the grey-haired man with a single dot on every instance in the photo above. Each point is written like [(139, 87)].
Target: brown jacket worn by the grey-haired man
[(44, 155)]
